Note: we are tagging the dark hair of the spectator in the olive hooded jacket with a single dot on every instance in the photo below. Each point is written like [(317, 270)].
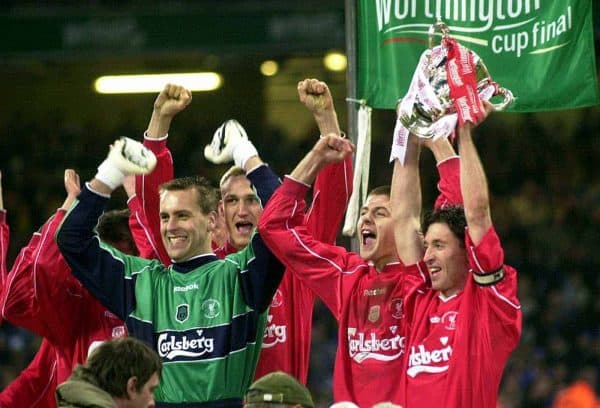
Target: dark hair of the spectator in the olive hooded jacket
[(115, 361)]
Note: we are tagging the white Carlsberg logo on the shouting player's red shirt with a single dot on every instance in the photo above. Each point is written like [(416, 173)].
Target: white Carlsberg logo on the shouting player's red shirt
[(363, 347)]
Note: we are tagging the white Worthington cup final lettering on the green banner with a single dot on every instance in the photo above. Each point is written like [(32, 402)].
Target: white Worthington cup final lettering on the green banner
[(515, 26)]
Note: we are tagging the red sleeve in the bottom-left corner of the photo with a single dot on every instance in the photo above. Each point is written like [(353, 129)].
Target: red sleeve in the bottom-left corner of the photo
[(35, 386)]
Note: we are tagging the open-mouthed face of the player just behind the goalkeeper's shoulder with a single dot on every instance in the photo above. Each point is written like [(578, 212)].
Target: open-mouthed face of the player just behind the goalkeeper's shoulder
[(241, 208)]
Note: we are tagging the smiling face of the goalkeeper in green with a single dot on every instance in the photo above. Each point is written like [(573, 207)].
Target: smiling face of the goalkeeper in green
[(183, 226)]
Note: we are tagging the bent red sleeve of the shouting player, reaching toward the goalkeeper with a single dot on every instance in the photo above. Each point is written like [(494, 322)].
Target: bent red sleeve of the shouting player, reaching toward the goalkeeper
[(320, 266)]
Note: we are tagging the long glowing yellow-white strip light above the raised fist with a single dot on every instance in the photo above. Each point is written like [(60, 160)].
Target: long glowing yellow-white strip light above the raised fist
[(194, 81)]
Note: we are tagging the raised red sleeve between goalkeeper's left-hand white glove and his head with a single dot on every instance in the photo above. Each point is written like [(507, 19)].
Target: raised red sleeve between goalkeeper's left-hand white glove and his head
[(147, 186)]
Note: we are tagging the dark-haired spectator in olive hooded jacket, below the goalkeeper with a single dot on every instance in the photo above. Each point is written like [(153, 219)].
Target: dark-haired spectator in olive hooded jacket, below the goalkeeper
[(120, 373)]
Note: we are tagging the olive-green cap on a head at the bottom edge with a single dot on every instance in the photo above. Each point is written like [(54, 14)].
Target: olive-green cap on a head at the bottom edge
[(278, 389)]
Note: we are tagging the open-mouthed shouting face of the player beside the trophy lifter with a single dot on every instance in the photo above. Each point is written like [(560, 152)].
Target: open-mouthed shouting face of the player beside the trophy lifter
[(375, 231)]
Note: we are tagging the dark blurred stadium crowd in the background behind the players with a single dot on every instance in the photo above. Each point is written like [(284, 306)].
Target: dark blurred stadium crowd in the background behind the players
[(542, 170)]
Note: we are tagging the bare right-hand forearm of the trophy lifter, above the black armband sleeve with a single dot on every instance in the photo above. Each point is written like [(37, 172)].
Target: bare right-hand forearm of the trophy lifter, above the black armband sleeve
[(474, 185)]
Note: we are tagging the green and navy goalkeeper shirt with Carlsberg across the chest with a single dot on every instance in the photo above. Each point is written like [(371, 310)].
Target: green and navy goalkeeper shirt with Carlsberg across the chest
[(205, 317)]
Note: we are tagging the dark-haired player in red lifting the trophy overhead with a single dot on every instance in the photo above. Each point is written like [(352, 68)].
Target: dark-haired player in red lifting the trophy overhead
[(466, 320)]
